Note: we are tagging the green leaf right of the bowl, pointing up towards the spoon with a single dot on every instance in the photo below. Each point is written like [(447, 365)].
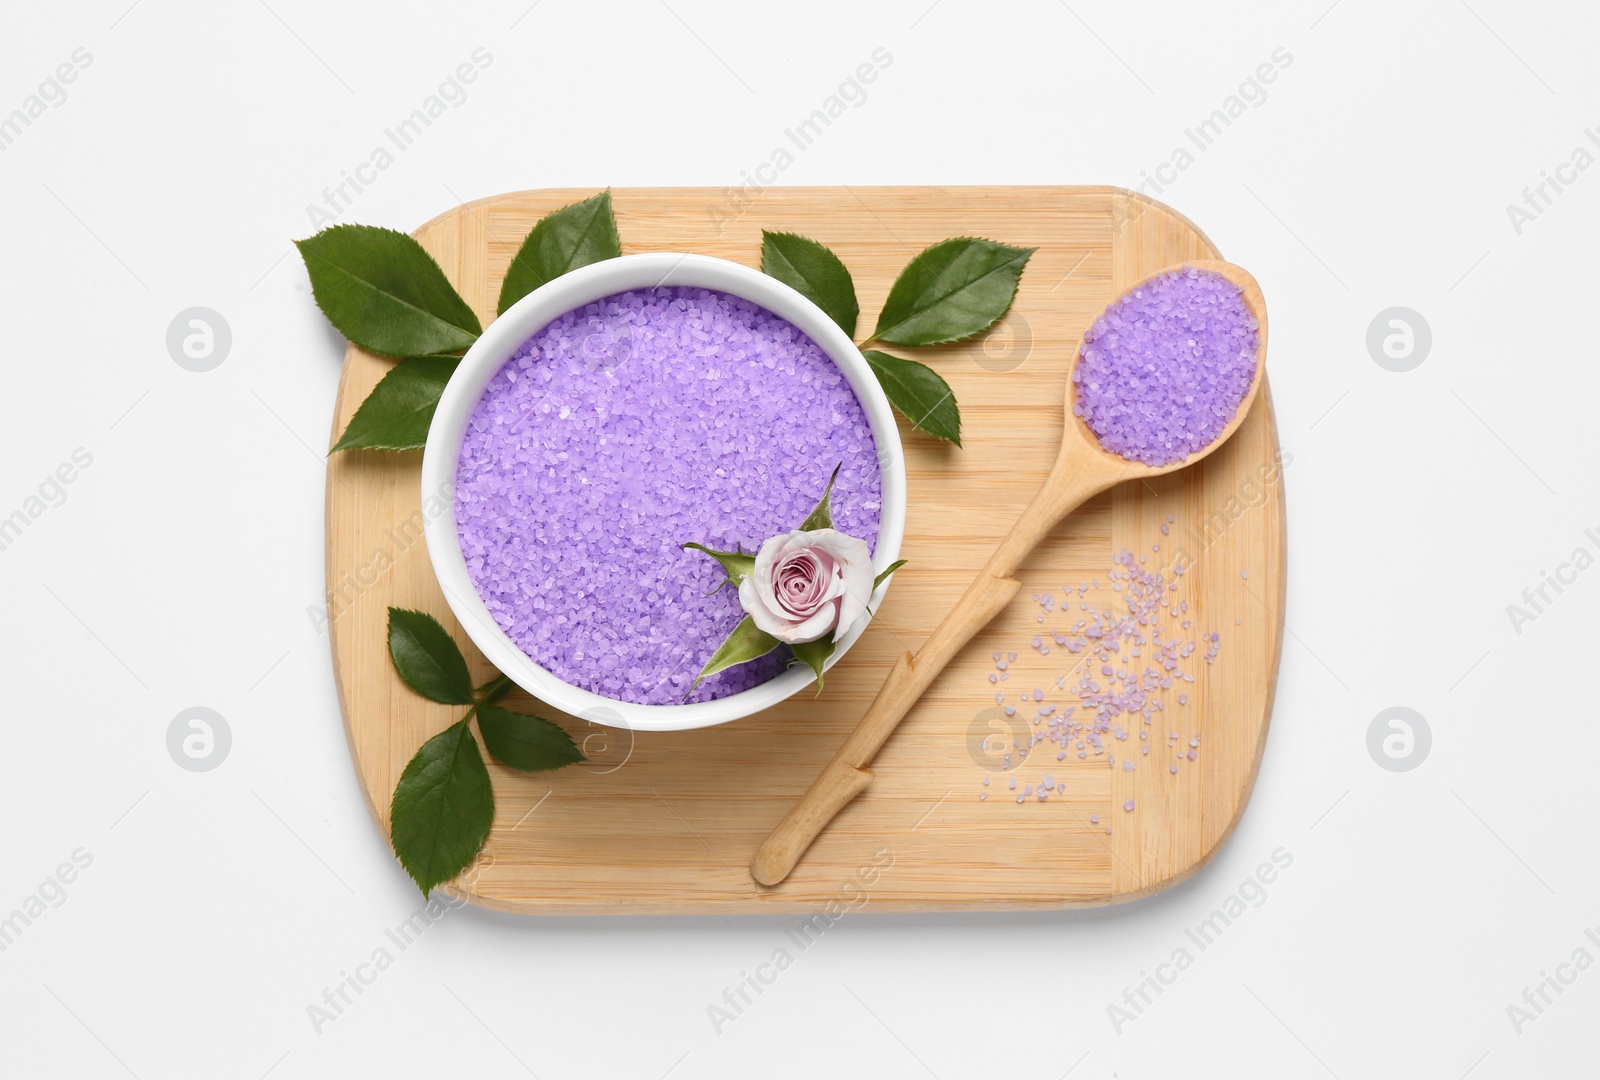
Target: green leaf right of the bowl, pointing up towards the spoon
[(951, 292)]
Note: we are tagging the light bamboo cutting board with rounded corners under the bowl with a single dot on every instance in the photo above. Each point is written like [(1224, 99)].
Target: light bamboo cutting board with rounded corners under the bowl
[(668, 822)]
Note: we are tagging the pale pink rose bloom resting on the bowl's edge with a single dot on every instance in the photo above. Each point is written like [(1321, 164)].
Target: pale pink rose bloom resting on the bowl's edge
[(807, 585)]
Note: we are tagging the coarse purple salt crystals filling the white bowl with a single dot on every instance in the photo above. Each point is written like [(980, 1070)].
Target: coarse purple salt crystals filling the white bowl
[(686, 415)]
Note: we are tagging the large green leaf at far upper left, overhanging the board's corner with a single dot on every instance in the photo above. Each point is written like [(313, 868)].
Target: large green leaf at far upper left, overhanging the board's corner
[(383, 292)]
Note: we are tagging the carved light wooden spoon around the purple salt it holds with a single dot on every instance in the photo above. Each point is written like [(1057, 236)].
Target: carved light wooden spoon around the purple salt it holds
[(1082, 471)]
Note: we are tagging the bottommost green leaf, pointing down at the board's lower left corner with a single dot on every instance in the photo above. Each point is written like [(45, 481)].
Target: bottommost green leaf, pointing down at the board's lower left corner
[(442, 809)]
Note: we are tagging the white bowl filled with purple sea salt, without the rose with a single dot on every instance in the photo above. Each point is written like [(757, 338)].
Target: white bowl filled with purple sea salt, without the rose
[(614, 415)]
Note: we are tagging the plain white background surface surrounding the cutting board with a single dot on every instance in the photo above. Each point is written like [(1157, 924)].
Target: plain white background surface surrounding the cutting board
[(182, 564)]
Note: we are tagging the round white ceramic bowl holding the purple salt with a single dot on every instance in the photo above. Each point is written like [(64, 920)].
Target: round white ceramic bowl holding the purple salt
[(489, 356)]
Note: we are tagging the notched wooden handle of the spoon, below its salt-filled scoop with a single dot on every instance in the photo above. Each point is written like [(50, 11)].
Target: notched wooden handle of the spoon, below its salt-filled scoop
[(847, 775)]
